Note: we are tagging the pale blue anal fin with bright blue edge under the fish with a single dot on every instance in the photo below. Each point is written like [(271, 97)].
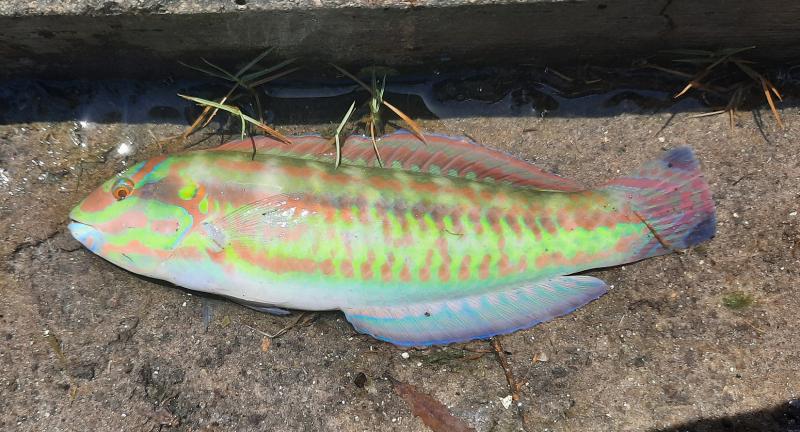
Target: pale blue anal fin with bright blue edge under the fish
[(478, 316)]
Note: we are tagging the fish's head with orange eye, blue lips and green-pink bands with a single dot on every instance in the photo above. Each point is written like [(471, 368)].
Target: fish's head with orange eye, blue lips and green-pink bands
[(138, 218)]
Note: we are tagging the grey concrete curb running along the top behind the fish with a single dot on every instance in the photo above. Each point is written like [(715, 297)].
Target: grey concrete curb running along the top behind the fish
[(145, 38)]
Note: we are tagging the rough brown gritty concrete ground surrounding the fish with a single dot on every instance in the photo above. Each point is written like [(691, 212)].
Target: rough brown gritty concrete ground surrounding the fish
[(701, 340)]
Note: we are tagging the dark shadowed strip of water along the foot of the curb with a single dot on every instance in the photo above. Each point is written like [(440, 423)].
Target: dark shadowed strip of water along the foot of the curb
[(319, 102)]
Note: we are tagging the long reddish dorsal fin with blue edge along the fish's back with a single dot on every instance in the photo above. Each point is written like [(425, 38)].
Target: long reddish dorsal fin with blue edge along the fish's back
[(445, 155)]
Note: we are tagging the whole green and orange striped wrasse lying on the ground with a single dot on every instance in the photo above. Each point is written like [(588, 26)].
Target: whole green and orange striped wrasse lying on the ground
[(449, 242)]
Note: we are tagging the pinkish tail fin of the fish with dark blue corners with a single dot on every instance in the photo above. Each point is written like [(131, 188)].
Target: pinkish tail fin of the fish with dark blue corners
[(673, 199)]
